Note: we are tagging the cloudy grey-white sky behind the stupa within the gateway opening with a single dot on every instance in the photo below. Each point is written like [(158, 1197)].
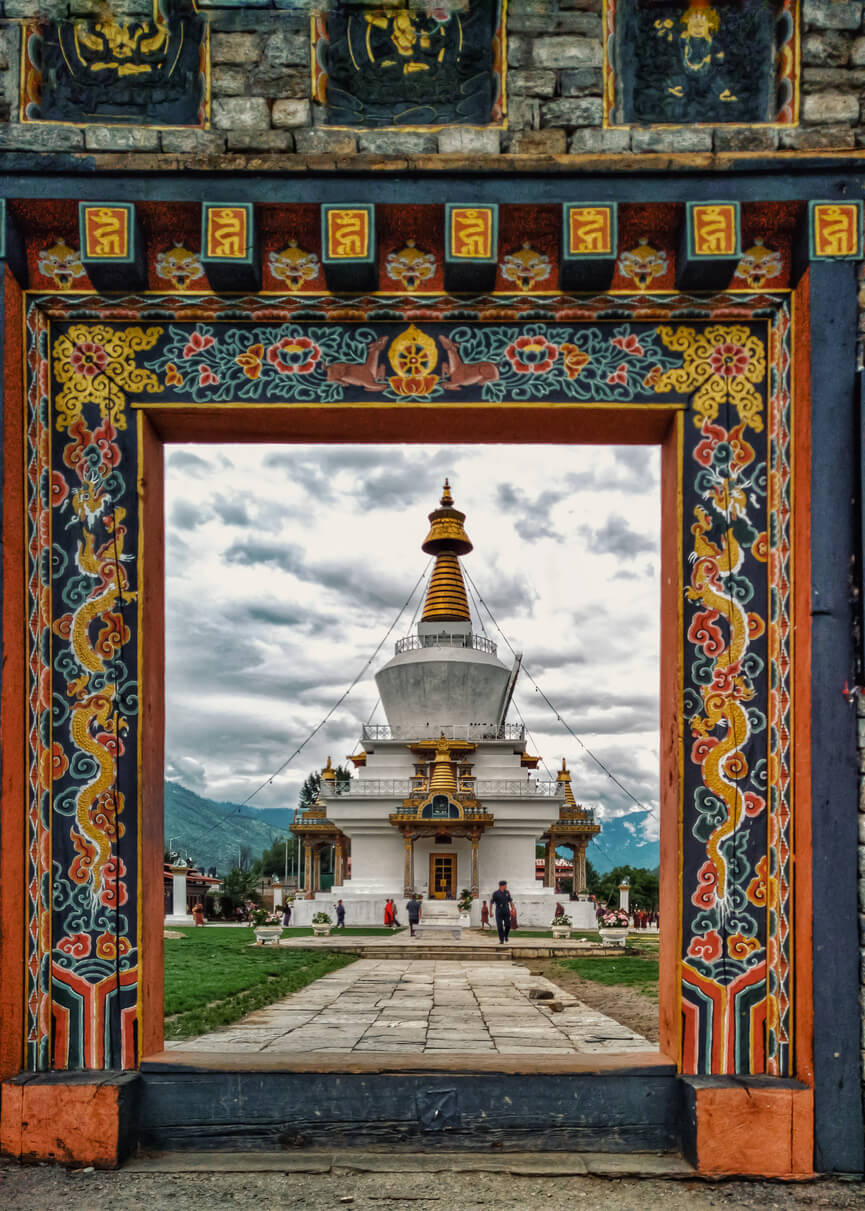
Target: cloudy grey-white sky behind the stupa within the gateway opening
[(288, 564)]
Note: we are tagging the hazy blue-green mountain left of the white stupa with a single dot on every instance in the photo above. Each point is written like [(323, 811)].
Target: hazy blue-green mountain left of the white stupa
[(213, 834)]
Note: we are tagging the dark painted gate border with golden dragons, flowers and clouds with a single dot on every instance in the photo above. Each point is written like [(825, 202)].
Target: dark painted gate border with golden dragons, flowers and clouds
[(91, 364)]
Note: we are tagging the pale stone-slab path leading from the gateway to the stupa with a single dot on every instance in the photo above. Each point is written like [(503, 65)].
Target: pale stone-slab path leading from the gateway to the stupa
[(425, 1007)]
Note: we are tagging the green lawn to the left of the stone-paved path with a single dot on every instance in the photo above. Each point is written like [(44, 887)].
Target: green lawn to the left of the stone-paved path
[(214, 977)]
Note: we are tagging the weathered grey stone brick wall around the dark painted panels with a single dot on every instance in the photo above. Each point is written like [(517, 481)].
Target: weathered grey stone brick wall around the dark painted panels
[(262, 108)]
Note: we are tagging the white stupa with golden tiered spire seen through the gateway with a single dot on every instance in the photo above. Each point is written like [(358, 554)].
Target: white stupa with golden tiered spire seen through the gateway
[(446, 799)]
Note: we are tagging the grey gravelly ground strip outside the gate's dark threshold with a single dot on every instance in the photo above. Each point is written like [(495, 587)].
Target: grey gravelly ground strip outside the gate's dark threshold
[(47, 1189)]
